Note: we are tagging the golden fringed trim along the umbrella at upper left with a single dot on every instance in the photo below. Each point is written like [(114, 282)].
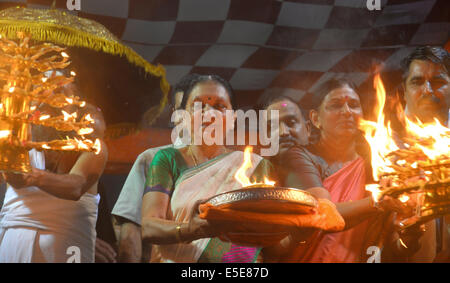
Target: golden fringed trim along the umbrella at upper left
[(60, 27)]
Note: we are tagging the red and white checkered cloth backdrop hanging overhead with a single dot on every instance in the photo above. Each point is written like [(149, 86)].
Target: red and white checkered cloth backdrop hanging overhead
[(259, 44)]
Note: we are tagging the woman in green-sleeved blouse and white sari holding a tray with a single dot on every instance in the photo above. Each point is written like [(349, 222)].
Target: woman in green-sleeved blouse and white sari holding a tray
[(180, 178)]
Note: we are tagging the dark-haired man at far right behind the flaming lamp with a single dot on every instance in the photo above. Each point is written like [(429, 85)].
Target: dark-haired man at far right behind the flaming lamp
[(426, 84)]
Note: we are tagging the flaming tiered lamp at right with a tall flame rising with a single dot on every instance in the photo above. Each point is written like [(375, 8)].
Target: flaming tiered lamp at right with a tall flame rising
[(417, 167)]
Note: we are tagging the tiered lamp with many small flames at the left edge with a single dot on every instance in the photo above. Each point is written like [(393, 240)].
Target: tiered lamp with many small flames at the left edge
[(25, 85)]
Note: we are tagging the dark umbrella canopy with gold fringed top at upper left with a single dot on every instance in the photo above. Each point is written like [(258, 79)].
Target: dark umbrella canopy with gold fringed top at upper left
[(110, 75)]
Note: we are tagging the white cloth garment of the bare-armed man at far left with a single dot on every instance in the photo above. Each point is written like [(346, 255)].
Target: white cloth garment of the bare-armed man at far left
[(38, 227)]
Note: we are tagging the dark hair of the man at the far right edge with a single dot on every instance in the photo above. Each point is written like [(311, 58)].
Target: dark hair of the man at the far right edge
[(435, 54)]
